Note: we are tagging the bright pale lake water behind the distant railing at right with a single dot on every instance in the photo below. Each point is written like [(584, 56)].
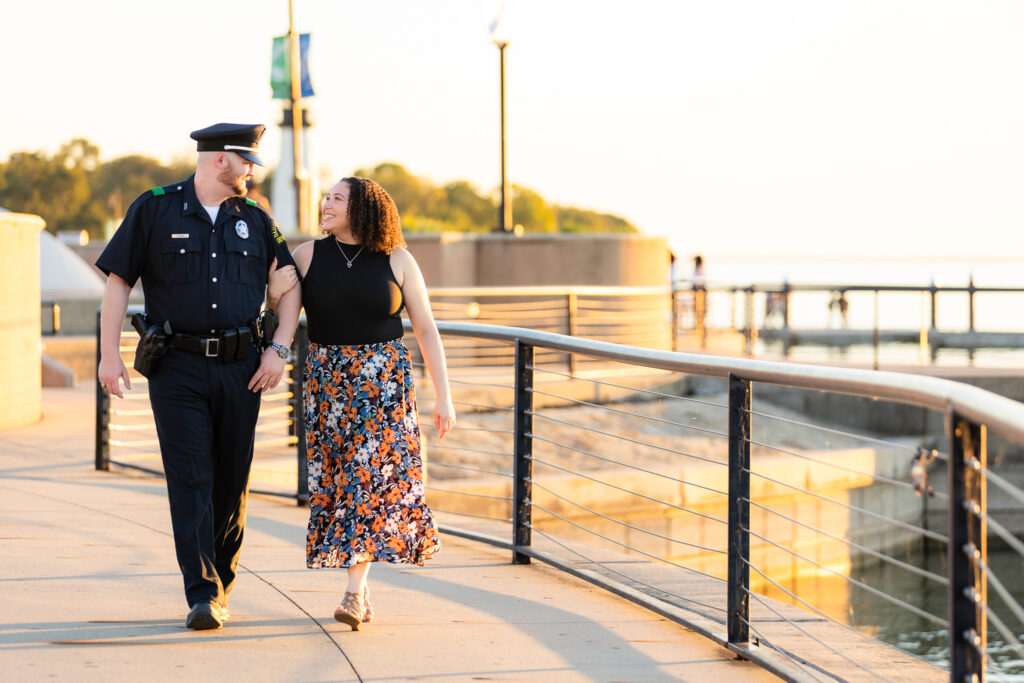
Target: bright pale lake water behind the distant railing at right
[(912, 311)]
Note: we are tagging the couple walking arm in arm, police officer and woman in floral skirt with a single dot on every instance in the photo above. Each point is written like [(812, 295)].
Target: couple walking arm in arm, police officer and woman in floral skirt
[(206, 257)]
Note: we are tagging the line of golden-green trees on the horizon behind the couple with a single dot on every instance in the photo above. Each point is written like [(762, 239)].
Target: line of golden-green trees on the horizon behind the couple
[(73, 190)]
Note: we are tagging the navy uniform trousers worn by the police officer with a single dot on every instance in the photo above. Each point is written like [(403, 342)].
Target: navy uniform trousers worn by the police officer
[(206, 419)]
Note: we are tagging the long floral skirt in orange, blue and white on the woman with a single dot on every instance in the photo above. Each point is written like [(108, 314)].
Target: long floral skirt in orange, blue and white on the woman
[(363, 450)]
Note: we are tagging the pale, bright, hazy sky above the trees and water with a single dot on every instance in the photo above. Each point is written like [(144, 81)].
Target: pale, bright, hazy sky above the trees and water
[(879, 130)]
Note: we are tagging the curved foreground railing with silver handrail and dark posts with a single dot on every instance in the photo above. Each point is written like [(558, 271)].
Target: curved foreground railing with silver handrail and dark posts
[(970, 412)]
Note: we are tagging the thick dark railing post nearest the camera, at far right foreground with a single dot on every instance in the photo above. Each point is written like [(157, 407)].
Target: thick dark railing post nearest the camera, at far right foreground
[(968, 589)]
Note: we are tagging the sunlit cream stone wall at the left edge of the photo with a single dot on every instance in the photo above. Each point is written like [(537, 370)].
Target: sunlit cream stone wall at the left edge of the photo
[(21, 374)]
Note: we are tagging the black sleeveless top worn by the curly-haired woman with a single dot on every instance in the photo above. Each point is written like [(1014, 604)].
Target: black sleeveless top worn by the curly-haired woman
[(351, 306)]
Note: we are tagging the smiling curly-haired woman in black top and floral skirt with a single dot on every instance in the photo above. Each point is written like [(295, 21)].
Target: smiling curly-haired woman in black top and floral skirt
[(366, 477)]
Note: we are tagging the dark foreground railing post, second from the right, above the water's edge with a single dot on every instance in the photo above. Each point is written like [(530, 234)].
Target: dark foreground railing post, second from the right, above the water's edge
[(740, 511)]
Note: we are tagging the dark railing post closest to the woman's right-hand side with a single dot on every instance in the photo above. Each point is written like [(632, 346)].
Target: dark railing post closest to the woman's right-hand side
[(524, 474)]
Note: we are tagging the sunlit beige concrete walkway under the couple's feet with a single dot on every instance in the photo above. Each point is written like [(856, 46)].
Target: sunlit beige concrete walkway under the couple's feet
[(92, 593)]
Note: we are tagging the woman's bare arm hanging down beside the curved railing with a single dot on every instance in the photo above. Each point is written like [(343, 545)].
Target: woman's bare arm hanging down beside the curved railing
[(414, 291)]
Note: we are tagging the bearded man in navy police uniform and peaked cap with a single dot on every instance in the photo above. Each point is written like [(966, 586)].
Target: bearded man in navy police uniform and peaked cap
[(203, 253)]
